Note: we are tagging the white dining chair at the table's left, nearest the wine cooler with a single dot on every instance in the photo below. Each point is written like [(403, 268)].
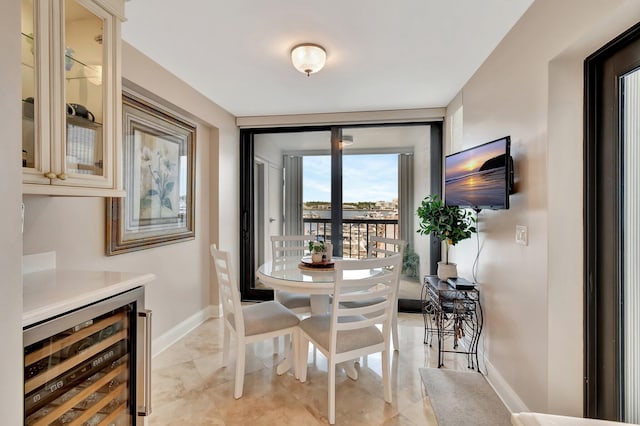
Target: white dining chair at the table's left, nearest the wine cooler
[(248, 324)]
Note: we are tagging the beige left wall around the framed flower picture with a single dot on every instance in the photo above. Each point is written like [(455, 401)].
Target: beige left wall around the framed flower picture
[(185, 286)]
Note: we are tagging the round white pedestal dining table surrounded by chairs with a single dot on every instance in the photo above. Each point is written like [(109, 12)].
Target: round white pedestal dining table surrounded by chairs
[(299, 275)]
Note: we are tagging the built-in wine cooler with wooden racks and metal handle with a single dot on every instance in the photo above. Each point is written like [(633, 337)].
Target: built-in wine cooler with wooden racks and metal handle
[(90, 366)]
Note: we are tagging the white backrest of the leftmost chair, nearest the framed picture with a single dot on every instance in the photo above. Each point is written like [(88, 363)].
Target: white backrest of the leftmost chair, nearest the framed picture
[(228, 290)]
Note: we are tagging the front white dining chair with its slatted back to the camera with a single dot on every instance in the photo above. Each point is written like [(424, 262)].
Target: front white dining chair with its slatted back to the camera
[(348, 333)]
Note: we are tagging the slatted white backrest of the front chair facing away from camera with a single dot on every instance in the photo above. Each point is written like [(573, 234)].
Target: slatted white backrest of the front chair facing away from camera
[(351, 287)]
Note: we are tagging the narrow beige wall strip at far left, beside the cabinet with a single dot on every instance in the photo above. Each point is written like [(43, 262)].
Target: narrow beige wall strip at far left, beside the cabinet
[(10, 238)]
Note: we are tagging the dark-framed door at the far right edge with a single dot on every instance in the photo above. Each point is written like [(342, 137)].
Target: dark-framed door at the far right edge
[(611, 229)]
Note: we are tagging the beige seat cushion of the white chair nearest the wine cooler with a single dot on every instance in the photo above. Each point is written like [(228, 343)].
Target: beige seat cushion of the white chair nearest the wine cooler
[(266, 317)]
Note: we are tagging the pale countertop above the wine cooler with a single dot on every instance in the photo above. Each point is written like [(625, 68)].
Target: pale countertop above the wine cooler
[(52, 292)]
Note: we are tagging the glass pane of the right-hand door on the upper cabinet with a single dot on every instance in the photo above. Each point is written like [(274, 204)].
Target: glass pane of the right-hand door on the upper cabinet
[(83, 52)]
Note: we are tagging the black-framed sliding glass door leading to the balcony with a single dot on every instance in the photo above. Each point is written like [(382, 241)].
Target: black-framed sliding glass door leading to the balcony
[(338, 184)]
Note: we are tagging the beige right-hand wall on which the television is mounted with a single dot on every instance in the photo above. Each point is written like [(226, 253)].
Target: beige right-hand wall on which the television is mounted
[(531, 88)]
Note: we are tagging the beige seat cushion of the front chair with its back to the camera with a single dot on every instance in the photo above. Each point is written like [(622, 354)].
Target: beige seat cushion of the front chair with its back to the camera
[(317, 327)]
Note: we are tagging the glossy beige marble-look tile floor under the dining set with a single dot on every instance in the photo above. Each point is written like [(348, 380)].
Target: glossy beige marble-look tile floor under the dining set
[(191, 387)]
